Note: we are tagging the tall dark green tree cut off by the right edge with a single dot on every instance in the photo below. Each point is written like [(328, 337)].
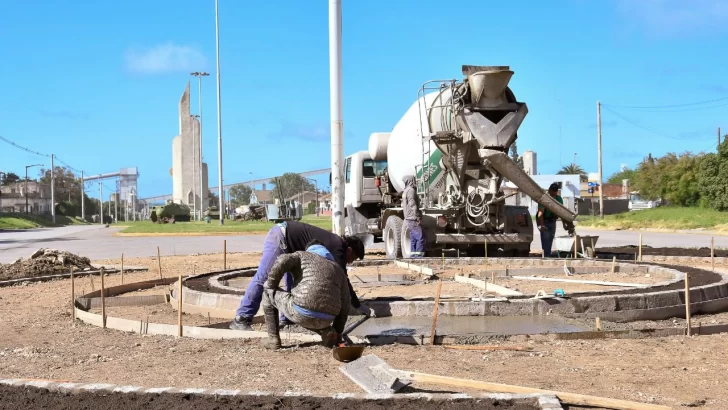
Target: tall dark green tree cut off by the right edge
[(713, 179)]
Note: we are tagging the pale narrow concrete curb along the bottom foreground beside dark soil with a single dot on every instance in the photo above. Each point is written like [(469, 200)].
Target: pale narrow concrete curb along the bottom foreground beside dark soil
[(546, 402)]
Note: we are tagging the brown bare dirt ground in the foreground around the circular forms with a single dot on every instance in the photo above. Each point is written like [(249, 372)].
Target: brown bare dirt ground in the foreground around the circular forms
[(39, 340)]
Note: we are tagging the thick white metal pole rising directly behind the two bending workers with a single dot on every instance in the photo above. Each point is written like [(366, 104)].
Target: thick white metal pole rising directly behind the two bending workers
[(337, 122)]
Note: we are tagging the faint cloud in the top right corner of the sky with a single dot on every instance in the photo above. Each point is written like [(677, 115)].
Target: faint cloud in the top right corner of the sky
[(676, 17)]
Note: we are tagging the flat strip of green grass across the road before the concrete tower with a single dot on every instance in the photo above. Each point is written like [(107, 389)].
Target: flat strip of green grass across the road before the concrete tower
[(148, 227)]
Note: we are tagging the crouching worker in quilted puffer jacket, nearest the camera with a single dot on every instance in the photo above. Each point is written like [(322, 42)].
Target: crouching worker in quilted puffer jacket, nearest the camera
[(319, 298)]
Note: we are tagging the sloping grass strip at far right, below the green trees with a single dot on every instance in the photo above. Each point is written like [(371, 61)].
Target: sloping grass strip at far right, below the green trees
[(668, 218)]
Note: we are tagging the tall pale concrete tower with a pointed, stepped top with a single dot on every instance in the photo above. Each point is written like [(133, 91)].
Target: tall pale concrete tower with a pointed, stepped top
[(185, 160)]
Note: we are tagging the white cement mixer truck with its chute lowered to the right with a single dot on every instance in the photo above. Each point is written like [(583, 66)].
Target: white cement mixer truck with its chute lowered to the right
[(454, 139)]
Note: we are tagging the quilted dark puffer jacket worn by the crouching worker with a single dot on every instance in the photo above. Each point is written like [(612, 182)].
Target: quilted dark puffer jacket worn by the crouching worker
[(319, 284)]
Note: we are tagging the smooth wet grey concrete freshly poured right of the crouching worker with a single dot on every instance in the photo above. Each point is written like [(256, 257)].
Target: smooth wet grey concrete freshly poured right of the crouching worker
[(466, 325)]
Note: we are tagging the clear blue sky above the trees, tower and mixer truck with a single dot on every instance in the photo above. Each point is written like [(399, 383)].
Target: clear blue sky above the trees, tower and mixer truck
[(97, 82)]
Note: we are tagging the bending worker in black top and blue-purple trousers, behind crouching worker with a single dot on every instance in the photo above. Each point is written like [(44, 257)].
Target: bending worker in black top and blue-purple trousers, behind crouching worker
[(289, 237)]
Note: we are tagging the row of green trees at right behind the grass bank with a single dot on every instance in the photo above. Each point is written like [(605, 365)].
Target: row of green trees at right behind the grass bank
[(685, 179)]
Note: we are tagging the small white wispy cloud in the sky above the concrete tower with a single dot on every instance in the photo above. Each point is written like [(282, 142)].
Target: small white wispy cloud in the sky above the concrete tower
[(165, 58)]
